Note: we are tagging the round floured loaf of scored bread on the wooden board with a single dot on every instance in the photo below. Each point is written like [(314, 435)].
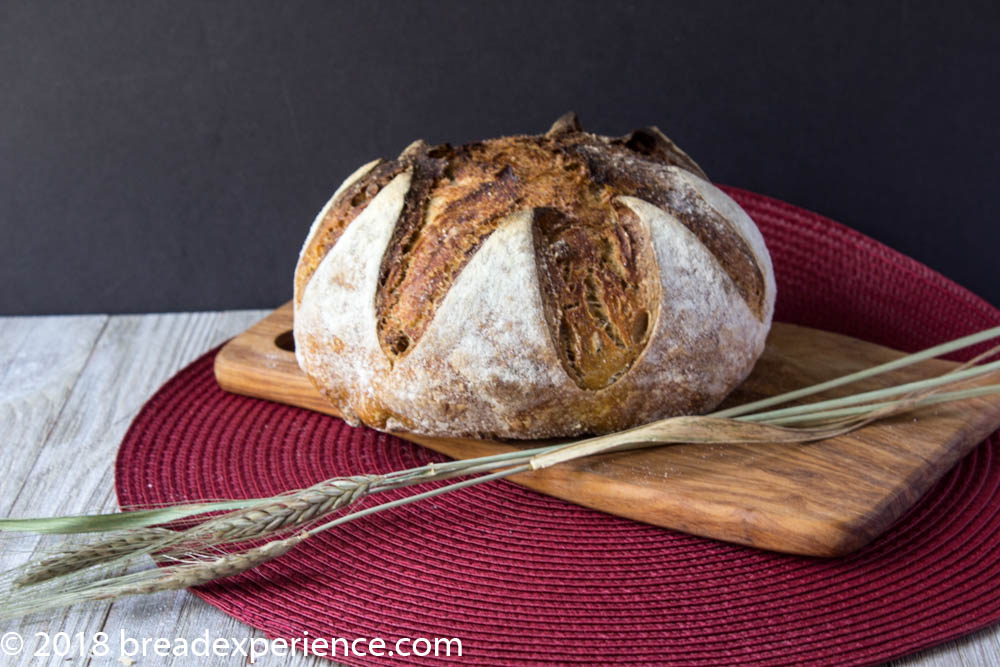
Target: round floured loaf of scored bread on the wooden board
[(531, 287)]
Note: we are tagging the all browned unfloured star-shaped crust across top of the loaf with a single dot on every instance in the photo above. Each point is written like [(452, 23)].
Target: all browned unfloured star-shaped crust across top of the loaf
[(458, 197)]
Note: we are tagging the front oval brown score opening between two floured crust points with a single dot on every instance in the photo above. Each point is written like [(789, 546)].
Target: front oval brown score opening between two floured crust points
[(600, 292)]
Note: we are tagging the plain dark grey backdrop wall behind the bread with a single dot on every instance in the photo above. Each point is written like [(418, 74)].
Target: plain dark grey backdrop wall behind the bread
[(171, 155)]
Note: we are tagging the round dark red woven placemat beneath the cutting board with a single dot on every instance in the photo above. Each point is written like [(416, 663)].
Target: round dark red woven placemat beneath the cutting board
[(521, 577)]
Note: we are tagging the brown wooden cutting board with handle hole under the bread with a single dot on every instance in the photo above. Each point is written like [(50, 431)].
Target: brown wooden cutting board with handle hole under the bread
[(821, 499)]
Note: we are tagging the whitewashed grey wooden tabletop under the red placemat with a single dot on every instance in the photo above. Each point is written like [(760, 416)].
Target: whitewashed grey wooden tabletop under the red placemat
[(69, 387)]
